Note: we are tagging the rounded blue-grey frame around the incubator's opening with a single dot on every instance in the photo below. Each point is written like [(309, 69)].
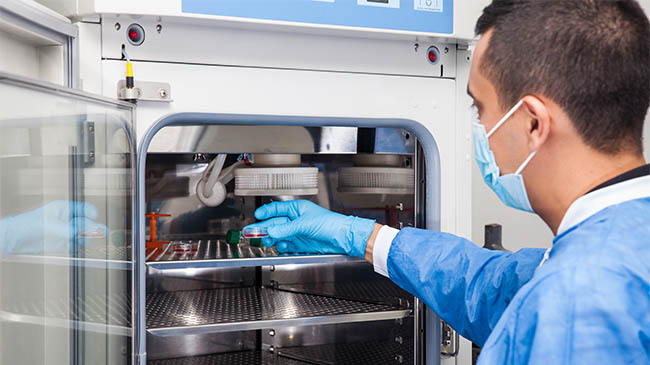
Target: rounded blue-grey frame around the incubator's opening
[(429, 325)]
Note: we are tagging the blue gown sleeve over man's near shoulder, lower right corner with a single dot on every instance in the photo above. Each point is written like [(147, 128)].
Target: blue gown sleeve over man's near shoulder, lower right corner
[(590, 315)]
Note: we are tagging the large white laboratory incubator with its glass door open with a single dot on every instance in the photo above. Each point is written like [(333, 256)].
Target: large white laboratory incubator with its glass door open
[(156, 168)]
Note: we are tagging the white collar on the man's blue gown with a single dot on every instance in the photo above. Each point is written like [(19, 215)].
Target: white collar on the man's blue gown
[(591, 203)]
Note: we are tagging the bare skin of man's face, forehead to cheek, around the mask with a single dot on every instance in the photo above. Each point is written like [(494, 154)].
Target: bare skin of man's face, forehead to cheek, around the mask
[(509, 142)]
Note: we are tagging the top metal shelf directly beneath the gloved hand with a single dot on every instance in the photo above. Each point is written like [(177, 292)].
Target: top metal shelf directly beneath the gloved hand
[(216, 253)]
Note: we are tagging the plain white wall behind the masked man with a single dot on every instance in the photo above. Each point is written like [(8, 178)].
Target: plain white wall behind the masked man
[(520, 229)]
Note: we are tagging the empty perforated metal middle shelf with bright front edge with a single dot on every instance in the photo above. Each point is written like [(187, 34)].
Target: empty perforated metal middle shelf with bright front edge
[(238, 309)]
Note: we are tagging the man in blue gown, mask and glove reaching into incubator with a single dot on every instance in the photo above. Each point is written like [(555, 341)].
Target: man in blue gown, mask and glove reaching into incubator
[(562, 89)]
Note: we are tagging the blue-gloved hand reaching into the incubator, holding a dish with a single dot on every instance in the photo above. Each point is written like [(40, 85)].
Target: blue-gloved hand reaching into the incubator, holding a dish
[(302, 226)]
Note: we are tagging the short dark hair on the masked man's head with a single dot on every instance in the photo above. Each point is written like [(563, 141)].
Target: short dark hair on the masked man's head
[(591, 57)]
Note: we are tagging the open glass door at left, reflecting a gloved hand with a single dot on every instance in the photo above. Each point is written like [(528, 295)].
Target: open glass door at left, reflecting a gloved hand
[(66, 226)]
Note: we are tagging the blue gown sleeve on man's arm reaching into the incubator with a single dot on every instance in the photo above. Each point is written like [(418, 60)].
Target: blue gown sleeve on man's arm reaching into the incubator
[(467, 286)]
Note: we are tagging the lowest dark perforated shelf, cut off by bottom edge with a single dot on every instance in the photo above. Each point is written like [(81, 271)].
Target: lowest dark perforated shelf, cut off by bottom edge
[(231, 358)]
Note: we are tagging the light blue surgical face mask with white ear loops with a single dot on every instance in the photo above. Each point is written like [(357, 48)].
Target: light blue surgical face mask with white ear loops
[(509, 188)]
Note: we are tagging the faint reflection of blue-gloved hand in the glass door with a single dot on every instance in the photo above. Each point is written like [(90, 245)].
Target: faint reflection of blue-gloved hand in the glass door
[(50, 228)]
